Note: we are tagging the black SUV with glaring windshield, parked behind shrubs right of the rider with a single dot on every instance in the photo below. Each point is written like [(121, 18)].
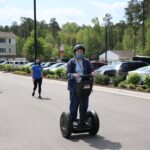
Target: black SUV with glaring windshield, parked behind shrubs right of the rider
[(123, 67)]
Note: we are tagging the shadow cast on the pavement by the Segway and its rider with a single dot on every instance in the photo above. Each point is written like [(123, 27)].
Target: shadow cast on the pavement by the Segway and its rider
[(97, 141)]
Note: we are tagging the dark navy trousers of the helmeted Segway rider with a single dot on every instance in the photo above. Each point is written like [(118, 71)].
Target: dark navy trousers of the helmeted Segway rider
[(75, 103)]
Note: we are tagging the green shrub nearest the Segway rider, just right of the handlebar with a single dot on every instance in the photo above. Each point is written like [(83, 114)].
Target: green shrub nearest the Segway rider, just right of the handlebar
[(101, 79)]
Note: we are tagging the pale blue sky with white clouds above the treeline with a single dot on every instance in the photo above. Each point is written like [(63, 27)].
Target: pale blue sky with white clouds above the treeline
[(79, 11)]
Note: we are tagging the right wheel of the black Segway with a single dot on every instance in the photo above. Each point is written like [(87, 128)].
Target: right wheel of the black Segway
[(93, 120)]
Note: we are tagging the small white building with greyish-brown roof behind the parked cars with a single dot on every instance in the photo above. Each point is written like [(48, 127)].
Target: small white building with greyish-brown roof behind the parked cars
[(113, 55)]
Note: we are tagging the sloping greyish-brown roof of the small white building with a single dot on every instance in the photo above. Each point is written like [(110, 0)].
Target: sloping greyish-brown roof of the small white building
[(123, 53)]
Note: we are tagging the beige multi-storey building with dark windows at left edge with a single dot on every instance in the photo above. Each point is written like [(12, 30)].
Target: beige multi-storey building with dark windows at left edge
[(7, 45)]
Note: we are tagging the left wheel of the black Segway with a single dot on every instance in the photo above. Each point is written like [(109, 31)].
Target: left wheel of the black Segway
[(66, 125)]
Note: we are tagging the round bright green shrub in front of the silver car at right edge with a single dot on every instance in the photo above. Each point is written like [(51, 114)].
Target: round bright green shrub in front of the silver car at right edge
[(134, 79)]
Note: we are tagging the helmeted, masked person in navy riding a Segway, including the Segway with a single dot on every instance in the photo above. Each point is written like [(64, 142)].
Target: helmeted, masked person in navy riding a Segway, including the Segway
[(79, 73)]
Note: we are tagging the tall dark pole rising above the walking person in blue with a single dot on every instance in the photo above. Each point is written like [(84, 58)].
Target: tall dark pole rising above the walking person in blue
[(35, 35)]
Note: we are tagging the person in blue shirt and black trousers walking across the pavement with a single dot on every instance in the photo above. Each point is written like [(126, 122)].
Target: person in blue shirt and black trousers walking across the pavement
[(37, 78)]
